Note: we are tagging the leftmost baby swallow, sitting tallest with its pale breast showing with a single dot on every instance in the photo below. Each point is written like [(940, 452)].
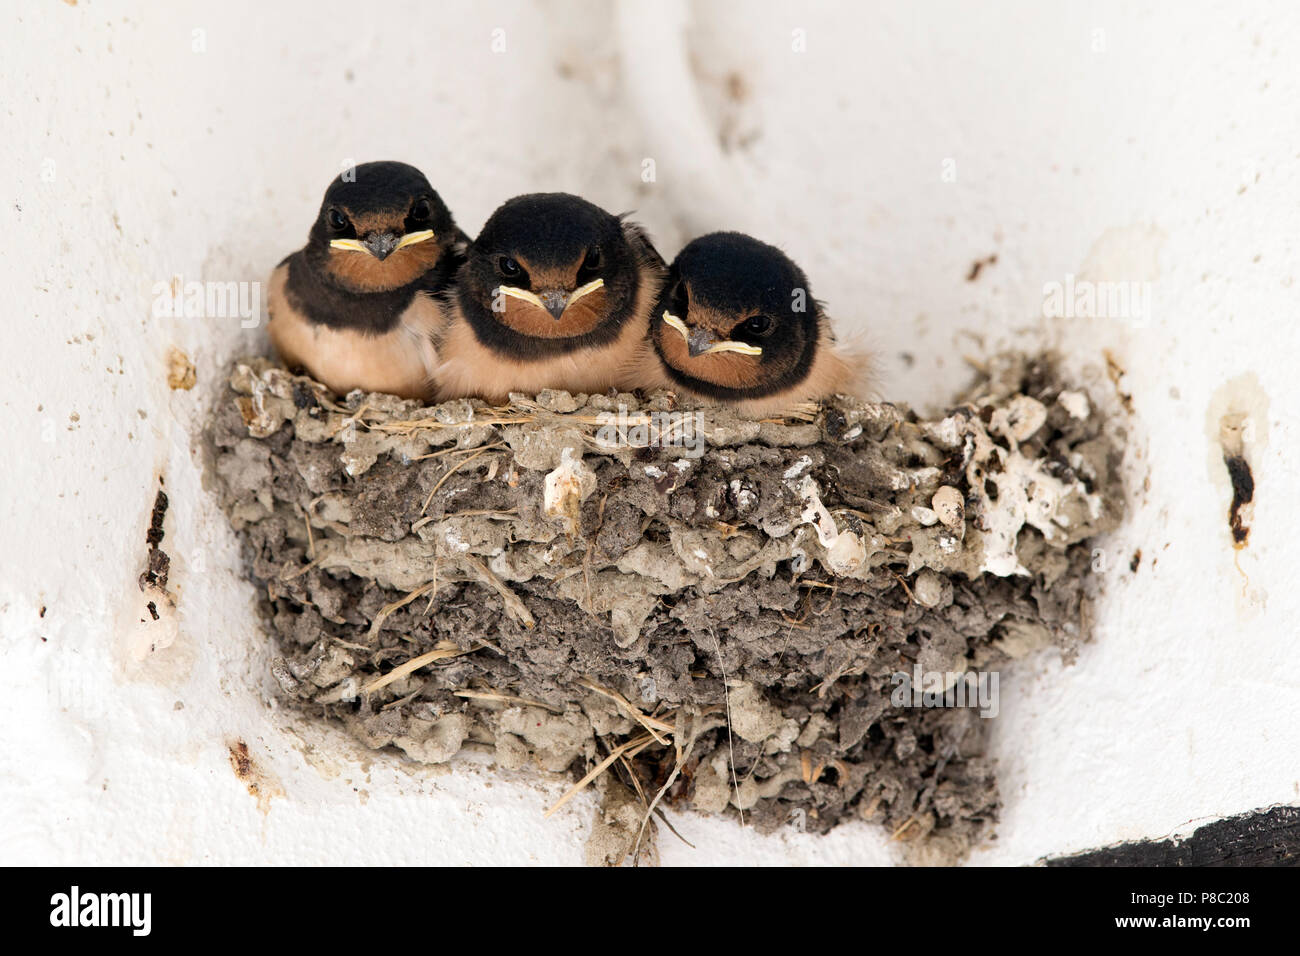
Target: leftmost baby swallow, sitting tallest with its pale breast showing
[(359, 306)]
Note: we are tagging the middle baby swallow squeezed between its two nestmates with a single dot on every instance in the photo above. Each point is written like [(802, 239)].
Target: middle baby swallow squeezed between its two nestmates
[(556, 293)]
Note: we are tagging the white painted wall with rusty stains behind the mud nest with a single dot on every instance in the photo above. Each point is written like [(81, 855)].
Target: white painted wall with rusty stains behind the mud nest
[(1162, 149)]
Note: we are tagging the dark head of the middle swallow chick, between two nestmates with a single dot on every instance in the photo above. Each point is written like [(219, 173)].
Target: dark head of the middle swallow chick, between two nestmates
[(553, 274)]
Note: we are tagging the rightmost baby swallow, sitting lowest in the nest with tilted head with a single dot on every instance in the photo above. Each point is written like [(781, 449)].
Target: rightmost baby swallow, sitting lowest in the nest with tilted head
[(738, 325)]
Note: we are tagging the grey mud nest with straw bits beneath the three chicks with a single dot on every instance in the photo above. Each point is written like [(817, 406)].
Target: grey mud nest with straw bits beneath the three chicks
[(671, 604)]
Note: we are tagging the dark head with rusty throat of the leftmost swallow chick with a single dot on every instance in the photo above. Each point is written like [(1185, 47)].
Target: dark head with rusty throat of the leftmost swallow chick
[(382, 227)]
